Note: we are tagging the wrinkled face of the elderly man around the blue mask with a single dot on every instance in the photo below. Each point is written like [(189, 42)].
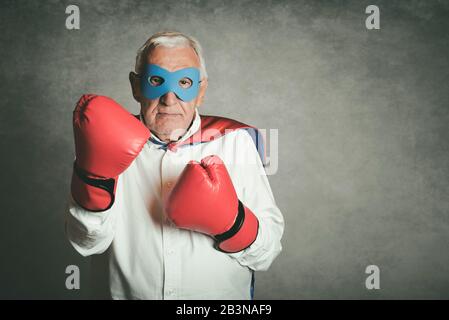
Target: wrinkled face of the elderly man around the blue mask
[(168, 116)]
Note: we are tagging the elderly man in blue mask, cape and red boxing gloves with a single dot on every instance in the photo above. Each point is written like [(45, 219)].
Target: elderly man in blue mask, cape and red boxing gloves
[(178, 203)]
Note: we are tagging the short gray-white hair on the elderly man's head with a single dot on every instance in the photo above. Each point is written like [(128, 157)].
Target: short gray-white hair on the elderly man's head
[(170, 39)]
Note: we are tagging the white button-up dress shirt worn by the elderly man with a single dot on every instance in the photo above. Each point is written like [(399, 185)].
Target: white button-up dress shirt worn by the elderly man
[(148, 257)]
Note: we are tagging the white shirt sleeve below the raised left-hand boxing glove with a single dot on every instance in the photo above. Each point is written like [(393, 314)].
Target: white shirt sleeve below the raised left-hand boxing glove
[(91, 232)]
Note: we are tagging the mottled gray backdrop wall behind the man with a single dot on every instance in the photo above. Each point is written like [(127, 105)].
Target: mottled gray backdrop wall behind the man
[(362, 117)]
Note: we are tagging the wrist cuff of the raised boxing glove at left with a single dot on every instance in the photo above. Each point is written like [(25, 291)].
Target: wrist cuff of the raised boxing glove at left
[(90, 193)]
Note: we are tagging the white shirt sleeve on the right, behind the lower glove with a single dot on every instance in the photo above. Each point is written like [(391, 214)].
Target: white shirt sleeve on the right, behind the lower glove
[(256, 194)]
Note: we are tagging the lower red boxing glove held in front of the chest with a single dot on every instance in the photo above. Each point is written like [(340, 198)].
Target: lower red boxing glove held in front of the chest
[(204, 200)]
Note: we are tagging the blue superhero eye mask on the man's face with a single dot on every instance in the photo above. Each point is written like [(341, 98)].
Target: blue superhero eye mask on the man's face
[(157, 81)]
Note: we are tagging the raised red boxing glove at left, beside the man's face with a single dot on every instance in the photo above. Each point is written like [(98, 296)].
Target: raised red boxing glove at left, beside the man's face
[(107, 140)]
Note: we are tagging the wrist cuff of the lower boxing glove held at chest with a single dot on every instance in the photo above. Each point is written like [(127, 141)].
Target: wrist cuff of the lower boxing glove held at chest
[(241, 235)]
